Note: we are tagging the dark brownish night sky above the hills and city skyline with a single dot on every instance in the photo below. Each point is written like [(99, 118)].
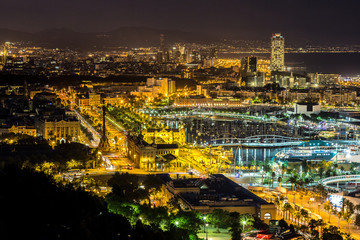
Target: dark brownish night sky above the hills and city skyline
[(318, 20)]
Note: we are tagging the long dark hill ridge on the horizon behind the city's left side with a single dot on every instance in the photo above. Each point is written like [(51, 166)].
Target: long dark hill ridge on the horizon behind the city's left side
[(125, 36)]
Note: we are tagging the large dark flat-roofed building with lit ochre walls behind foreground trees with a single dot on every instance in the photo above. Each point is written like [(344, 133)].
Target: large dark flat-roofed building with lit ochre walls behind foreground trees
[(217, 192)]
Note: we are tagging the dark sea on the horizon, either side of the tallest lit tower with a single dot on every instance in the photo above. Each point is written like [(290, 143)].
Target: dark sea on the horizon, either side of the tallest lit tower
[(346, 64)]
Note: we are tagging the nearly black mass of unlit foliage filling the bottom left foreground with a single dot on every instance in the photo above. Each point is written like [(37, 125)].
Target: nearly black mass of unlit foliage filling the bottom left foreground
[(33, 206)]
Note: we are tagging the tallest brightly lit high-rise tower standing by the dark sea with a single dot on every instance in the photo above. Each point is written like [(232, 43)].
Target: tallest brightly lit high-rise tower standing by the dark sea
[(277, 52)]
